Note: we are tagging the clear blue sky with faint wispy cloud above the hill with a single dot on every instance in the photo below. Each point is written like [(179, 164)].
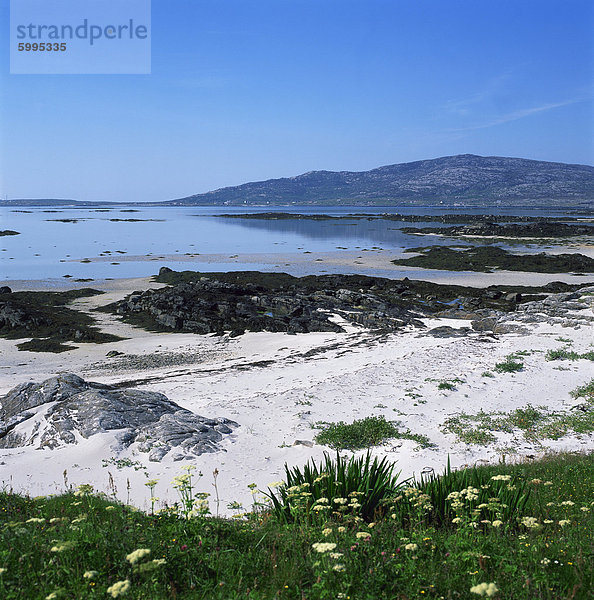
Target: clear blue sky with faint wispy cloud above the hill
[(244, 90)]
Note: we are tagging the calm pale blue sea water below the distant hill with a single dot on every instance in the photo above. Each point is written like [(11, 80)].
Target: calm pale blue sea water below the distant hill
[(49, 249)]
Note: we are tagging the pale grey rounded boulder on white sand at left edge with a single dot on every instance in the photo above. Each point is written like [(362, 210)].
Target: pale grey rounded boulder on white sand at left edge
[(65, 408)]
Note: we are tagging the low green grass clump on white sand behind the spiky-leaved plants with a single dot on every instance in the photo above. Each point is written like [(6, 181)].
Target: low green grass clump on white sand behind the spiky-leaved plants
[(364, 433)]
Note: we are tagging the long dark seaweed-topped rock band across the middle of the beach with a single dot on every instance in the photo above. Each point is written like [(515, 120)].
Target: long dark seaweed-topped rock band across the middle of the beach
[(252, 301)]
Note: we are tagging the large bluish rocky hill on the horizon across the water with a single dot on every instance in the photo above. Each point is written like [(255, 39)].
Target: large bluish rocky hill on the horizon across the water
[(465, 179)]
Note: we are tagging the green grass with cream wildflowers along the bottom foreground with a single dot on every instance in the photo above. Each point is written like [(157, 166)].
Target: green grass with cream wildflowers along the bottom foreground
[(86, 546)]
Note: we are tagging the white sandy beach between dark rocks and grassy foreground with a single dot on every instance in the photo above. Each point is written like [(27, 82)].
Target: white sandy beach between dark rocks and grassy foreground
[(277, 389)]
